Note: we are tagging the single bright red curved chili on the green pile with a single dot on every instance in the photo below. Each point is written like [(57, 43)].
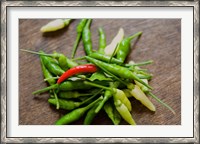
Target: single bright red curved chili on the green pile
[(89, 68)]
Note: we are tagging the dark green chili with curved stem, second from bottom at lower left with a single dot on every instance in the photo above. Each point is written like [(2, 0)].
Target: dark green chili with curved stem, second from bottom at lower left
[(70, 104)]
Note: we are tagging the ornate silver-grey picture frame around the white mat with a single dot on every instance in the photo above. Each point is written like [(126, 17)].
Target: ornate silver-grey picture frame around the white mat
[(5, 5)]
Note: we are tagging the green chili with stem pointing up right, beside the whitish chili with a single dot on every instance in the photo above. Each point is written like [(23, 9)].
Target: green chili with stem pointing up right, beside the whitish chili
[(124, 47)]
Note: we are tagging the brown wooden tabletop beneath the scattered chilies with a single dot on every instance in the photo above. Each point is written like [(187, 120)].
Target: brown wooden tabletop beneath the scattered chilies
[(160, 42)]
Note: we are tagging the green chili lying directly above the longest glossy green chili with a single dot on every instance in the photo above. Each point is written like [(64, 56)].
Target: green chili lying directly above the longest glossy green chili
[(105, 58)]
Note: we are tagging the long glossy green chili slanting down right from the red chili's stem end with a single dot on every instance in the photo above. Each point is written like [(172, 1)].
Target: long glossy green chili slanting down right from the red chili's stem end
[(117, 70)]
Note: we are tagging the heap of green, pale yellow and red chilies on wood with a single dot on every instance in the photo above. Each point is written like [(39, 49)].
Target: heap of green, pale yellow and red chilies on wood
[(103, 83)]
